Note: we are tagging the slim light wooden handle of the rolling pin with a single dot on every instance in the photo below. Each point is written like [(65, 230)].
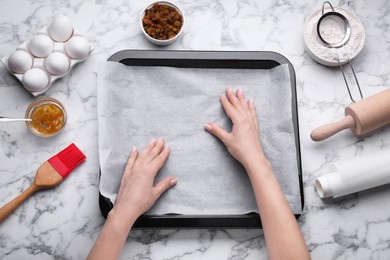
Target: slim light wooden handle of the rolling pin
[(325, 131)]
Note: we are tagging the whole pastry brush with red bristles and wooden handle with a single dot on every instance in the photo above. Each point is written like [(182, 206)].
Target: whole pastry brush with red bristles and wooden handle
[(49, 174)]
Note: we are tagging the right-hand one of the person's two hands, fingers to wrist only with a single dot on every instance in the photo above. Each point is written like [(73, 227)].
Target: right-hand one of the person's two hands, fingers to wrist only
[(243, 143)]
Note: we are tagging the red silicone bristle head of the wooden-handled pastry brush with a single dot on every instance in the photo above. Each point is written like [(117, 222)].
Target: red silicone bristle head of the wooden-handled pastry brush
[(66, 160)]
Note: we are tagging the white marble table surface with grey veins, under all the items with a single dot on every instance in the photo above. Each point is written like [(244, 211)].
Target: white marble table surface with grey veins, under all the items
[(63, 223)]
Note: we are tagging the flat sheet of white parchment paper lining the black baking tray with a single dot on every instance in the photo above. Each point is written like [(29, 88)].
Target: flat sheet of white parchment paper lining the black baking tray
[(136, 104)]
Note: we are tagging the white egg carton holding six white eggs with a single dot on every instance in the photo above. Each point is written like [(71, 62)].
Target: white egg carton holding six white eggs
[(48, 56)]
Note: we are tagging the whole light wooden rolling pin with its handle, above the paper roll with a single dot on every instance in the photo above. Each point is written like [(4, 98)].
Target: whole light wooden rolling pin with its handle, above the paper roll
[(362, 117)]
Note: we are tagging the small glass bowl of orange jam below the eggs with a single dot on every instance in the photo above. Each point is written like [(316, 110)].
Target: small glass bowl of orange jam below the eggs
[(48, 117)]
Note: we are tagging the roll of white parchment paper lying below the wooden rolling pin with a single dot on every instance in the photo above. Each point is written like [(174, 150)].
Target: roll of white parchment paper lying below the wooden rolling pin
[(357, 174)]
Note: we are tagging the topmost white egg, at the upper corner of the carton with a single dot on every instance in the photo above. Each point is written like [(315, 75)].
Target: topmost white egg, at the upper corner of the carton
[(61, 29)]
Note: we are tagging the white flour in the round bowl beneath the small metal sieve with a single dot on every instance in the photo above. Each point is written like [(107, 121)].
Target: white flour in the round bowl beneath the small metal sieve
[(333, 31)]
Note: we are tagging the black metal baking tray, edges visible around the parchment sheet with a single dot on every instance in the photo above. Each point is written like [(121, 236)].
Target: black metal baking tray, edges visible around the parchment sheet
[(208, 59)]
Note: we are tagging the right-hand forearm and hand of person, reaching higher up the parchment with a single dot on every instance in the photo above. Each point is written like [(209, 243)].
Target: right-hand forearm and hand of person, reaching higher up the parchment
[(243, 143)]
